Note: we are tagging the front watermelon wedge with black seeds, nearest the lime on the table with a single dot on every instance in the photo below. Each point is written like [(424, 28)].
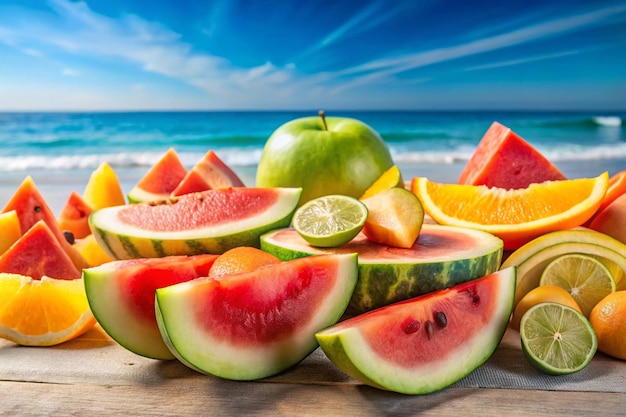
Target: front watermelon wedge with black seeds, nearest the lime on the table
[(427, 343)]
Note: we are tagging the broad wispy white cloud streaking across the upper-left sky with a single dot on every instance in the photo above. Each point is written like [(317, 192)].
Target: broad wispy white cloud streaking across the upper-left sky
[(82, 32)]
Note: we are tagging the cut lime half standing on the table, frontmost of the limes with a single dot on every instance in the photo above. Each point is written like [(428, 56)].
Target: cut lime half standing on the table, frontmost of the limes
[(557, 339)]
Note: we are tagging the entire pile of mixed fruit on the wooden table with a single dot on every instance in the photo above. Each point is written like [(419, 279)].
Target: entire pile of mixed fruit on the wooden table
[(395, 281)]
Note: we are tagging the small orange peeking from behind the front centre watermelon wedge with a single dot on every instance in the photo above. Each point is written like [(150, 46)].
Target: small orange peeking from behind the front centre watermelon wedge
[(241, 259)]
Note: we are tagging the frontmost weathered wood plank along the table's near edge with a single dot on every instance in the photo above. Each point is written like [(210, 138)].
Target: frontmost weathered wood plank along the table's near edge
[(172, 398)]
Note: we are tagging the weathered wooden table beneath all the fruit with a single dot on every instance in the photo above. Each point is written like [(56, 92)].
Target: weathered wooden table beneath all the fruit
[(93, 376)]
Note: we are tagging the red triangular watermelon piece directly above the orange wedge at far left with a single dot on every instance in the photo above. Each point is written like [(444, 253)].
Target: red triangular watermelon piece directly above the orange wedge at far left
[(38, 253)]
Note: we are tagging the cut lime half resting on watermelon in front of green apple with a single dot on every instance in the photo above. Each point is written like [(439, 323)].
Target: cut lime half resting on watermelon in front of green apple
[(330, 221)]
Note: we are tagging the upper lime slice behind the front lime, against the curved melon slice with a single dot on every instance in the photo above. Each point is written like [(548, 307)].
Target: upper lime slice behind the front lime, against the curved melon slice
[(586, 278)]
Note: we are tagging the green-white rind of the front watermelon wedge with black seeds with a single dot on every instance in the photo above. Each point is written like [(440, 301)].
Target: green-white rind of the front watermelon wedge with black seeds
[(349, 351)]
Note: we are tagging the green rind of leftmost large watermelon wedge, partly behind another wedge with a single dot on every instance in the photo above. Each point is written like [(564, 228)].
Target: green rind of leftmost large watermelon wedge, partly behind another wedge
[(135, 336)]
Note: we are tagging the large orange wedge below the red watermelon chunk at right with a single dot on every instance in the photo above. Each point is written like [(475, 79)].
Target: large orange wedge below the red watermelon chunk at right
[(516, 215)]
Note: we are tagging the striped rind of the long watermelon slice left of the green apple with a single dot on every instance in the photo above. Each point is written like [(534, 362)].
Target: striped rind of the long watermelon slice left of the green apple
[(121, 241)]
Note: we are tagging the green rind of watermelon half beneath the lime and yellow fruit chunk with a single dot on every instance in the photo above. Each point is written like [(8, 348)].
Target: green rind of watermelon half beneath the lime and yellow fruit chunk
[(384, 281)]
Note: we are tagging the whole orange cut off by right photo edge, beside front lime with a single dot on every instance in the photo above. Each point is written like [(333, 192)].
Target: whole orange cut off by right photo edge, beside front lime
[(608, 319)]
